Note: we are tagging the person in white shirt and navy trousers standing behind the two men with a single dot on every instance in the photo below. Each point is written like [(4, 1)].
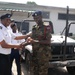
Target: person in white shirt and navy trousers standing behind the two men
[(14, 51)]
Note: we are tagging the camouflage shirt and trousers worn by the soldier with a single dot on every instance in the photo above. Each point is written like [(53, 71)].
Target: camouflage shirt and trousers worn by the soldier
[(41, 52)]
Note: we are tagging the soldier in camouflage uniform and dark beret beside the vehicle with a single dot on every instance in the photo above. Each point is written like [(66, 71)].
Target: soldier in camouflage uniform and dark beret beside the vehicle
[(41, 43)]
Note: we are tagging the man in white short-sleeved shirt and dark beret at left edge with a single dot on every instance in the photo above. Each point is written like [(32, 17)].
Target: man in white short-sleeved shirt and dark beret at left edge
[(5, 44)]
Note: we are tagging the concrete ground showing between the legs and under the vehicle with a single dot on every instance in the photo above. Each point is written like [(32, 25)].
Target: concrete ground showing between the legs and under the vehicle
[(59, 71)]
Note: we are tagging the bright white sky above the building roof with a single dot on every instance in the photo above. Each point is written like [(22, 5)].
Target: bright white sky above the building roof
[(56, 3)]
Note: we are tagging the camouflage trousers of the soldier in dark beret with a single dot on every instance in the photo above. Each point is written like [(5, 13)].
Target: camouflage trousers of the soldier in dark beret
[(40, 64)]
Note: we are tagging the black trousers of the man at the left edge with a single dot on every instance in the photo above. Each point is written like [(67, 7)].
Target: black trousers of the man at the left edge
[(4, 64)]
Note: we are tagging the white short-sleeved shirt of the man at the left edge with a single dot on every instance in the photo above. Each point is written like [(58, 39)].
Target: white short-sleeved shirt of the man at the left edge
[(5, 34)]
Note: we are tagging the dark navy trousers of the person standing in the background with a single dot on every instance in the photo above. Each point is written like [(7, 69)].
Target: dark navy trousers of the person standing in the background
[(15, 55)]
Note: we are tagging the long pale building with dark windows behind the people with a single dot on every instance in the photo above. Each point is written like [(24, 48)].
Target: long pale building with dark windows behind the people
[(22, 12)]
